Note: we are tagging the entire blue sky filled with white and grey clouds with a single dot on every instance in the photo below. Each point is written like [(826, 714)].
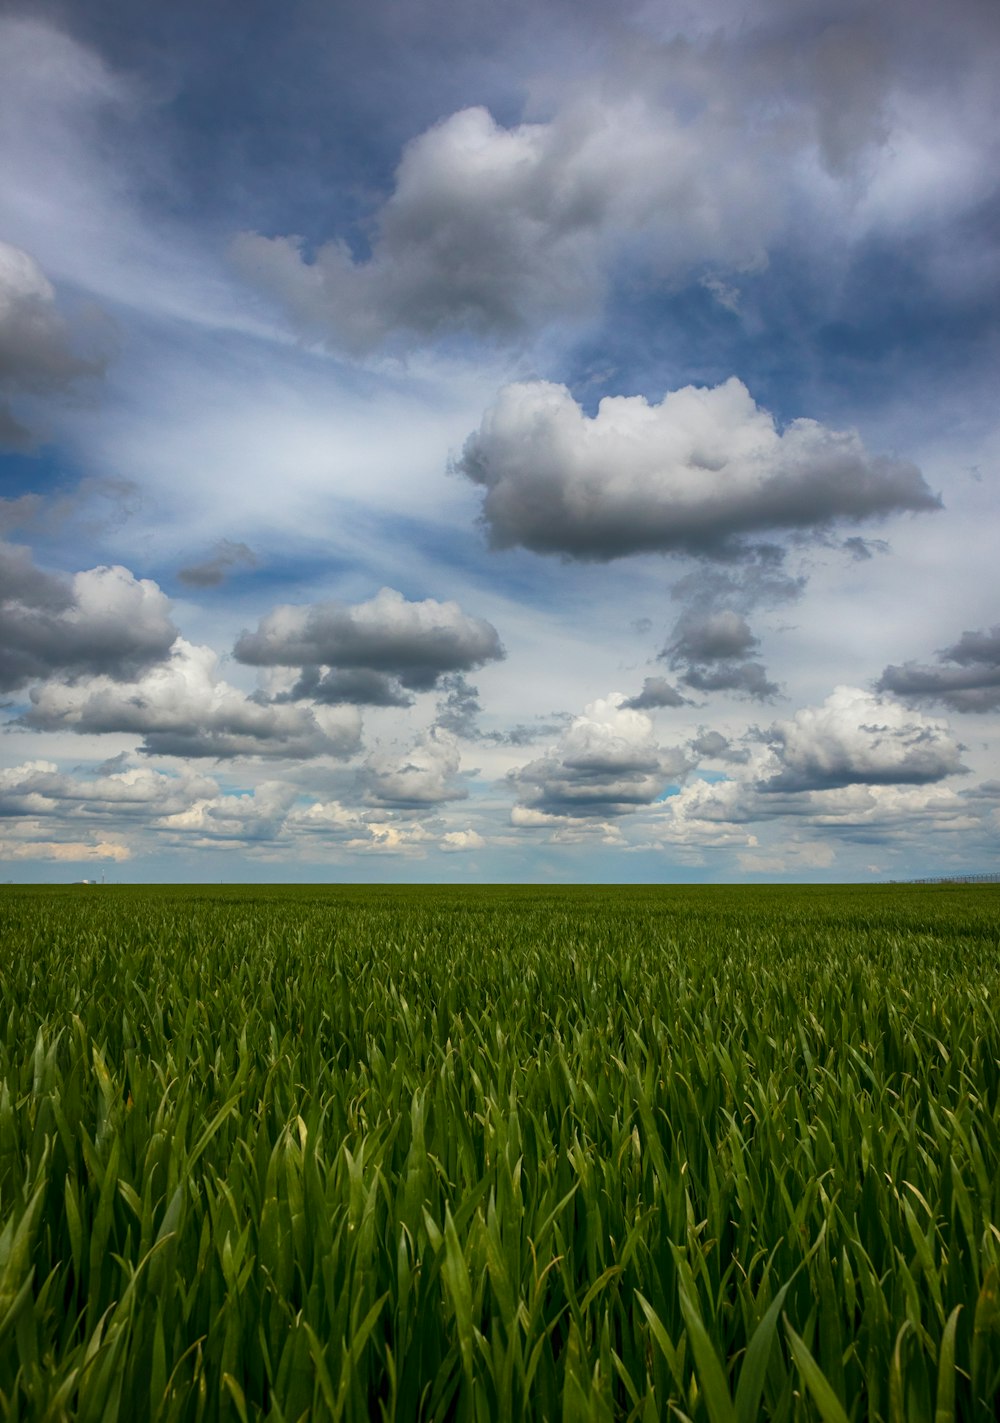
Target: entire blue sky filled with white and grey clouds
[(466, 442)]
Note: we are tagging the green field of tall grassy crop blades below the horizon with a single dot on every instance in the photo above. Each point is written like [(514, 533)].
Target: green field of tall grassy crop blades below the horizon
[(526, 1153)]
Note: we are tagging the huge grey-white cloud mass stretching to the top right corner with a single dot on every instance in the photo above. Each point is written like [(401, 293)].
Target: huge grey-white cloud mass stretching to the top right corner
[(692, 152)]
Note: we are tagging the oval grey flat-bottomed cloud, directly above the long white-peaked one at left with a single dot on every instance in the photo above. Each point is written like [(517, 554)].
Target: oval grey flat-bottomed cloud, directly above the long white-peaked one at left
[(406, 645)]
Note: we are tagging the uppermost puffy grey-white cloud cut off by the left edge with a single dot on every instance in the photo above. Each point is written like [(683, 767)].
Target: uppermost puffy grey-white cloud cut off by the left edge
[(38, 354)]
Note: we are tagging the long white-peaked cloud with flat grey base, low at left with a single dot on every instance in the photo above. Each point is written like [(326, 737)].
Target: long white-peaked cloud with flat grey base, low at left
[(181, 708)]
